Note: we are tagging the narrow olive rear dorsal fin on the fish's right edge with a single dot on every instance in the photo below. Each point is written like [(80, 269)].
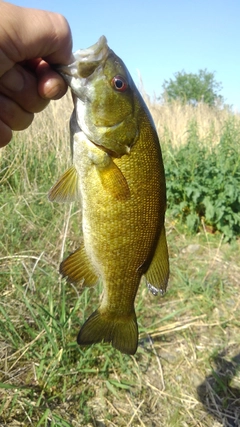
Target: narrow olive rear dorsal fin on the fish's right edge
[(158, 271)]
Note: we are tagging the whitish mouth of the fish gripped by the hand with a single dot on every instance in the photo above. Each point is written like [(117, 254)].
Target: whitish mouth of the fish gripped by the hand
[(85, 61)]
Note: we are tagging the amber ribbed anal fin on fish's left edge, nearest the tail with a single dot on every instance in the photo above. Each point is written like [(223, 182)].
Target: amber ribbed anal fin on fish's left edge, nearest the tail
[(77, 269)]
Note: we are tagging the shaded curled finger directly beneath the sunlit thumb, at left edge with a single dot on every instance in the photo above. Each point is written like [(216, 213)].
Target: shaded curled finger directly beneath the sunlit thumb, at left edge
[(21, 85)]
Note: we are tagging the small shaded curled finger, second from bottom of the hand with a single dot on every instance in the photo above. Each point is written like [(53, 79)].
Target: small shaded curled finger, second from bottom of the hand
[(12, 115)]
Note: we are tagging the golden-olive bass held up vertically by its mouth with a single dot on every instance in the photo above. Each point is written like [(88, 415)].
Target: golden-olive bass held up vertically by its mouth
[(117, 175)]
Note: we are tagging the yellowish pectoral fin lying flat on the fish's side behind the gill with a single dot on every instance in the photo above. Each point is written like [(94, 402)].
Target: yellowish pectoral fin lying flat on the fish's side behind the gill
[(113, 181)]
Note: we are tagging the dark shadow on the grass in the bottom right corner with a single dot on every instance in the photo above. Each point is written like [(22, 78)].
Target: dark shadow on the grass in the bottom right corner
[(219, 397)]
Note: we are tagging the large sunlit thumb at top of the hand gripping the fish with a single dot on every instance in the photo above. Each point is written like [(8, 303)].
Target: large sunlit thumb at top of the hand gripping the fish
[(50, 36)]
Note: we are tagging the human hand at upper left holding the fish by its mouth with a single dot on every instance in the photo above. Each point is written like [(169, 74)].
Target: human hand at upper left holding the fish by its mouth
[(30, 40)]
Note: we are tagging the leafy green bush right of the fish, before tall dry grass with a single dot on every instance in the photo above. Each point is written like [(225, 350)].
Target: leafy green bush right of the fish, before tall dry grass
[(203, 181)]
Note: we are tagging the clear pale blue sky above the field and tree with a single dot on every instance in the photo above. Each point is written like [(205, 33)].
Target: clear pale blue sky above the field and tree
[(159, 37)]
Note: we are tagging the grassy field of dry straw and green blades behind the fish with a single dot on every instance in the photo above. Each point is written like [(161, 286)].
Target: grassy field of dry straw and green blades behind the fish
[(186, 371)]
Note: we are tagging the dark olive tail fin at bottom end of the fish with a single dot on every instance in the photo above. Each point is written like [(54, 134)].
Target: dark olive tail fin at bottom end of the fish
[(122, 332)]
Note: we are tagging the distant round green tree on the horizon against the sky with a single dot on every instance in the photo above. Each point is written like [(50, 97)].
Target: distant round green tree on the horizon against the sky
[(193, 88)]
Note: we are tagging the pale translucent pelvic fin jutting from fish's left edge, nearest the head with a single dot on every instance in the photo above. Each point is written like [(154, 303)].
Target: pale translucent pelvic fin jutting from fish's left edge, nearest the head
[(66, 188)]
